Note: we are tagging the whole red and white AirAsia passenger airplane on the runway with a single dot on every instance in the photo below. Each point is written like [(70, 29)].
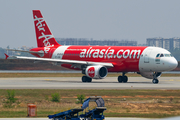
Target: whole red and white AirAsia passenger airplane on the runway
[(96, 61)]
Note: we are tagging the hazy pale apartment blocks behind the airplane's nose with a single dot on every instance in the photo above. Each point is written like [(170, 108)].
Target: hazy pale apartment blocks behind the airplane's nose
[(167, 43)]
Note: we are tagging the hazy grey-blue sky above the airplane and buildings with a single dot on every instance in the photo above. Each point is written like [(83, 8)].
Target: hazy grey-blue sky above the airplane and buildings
[(134, 20)]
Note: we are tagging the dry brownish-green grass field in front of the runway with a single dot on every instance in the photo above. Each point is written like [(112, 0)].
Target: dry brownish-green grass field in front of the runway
[(137, 103)]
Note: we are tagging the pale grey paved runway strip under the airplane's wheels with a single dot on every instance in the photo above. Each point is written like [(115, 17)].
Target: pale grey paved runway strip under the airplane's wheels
[(75, 83)]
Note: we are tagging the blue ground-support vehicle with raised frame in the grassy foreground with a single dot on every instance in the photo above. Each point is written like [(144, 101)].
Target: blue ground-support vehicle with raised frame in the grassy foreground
[(73, 114)]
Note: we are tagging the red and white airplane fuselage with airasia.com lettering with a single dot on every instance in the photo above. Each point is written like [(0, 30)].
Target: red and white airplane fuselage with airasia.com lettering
[(124, 58)]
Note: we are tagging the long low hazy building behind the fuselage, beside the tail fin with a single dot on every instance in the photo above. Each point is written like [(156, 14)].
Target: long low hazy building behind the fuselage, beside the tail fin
[(85, 41)]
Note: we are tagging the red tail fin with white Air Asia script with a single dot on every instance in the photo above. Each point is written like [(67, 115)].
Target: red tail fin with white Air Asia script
[(43, 34)]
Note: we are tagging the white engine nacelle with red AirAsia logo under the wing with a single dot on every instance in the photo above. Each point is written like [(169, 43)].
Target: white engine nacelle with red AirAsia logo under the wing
[(96, 72)]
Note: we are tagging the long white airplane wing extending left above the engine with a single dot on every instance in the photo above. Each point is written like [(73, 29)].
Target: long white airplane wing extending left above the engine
[(66, 61)]
